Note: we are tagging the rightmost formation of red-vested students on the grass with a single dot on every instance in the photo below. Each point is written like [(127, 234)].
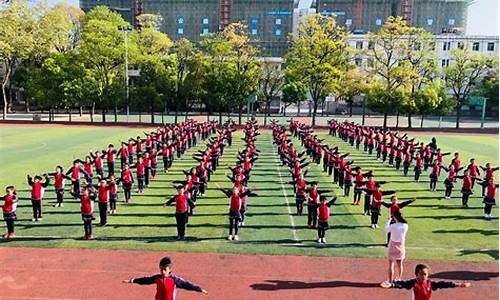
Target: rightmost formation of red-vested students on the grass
[(396, 148)]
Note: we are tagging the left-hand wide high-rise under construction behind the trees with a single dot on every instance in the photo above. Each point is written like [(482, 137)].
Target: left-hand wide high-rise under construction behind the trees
[(269, 21)]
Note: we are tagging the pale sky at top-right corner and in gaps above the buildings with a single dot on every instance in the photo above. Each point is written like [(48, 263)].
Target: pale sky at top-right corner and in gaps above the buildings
[(482, 15)]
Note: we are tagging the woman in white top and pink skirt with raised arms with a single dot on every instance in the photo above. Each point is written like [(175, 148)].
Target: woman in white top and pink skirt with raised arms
[(396, 248)]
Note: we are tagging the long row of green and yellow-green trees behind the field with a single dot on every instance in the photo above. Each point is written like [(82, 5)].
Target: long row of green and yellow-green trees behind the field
[(64, 59)]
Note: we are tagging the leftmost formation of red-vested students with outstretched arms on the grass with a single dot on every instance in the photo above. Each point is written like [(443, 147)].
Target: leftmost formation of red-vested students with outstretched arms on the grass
[(139, 154)]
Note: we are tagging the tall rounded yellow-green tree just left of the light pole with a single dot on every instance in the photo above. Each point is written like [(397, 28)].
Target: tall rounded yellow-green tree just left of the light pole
[(102, 48)]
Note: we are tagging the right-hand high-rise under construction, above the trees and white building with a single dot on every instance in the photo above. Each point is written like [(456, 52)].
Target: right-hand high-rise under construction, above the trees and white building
[(362, 16)]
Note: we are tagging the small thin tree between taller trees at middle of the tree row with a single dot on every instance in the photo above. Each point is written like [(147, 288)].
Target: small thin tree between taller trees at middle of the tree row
[(270, 85)]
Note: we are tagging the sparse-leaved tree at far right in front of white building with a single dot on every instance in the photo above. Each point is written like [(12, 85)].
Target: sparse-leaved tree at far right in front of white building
[(464, 73)]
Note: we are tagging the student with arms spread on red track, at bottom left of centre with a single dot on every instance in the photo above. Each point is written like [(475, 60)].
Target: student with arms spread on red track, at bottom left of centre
[(166, 282)]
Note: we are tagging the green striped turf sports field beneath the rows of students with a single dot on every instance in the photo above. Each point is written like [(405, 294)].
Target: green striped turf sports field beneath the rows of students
[(439, 229)]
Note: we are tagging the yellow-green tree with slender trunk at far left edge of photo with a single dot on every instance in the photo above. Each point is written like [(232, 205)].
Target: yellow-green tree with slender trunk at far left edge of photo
[(17, 40)]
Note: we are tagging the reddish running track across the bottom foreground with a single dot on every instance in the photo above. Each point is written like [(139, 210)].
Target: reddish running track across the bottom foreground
[(37, 273)]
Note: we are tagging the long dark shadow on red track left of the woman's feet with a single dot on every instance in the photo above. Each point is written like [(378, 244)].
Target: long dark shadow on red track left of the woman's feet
[(273, 285)]
